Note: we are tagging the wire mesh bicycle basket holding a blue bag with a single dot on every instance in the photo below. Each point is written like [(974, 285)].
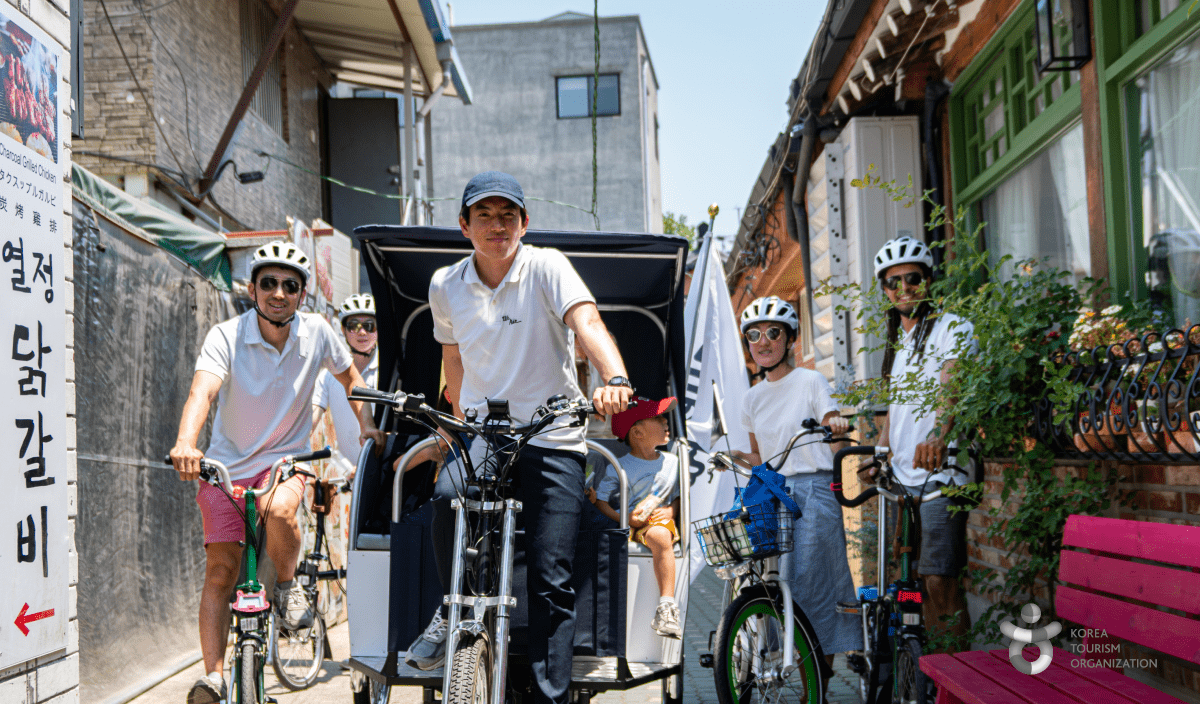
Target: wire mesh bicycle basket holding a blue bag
[(755, 533)]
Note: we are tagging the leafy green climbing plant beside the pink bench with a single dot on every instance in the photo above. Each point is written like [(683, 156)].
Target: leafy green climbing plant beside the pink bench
[(1022, 327)]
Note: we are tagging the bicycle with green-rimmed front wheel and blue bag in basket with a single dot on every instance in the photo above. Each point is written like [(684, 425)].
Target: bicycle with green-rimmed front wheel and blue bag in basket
[(765, 642)]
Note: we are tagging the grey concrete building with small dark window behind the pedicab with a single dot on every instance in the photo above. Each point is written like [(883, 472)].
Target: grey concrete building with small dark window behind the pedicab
[(514, 127)]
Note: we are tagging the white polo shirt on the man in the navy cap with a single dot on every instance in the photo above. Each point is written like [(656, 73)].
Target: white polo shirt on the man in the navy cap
[(513, 340)]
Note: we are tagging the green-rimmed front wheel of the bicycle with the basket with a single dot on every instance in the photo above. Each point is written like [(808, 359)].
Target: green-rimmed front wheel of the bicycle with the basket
[(749, 655)]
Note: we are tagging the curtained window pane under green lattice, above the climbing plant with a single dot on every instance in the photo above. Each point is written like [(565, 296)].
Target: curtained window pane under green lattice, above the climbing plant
[(1041, 212)]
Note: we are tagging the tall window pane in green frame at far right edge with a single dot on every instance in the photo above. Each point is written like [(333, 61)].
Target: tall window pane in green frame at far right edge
[(1168, 100)]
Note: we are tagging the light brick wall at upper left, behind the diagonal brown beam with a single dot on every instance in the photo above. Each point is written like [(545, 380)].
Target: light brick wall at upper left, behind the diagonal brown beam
[(188, 58)]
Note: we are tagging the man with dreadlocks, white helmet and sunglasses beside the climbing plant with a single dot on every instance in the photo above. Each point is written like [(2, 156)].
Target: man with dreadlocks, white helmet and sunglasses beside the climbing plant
[(922, 348)]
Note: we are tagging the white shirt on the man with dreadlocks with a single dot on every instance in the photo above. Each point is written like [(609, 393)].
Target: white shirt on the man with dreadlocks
[(913, 420)]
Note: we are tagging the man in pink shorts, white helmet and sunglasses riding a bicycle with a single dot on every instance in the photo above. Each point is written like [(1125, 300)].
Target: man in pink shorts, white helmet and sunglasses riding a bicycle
[(261, 369)]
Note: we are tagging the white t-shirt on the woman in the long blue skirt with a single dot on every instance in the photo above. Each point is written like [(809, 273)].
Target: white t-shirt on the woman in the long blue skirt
[(775, 411)]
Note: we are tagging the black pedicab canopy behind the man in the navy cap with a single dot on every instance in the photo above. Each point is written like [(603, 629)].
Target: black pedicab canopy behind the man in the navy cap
[(637, 279)]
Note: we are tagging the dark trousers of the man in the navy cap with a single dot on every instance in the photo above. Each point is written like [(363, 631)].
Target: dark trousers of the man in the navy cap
[(550, 488)]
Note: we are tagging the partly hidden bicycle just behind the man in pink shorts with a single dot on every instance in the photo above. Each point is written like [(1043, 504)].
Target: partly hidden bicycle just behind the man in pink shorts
[(297, 655)]
